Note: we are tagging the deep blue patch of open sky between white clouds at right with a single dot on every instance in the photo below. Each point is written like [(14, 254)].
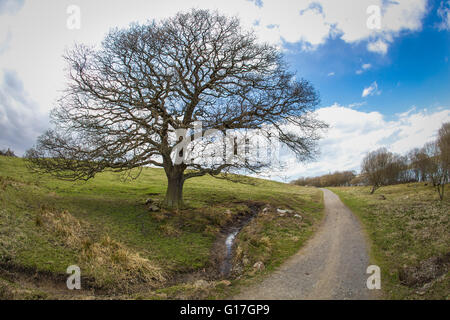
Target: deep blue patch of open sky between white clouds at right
[(414, 72)]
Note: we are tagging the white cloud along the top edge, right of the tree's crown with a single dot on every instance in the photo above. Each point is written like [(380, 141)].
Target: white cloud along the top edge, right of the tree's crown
[(313, 22)]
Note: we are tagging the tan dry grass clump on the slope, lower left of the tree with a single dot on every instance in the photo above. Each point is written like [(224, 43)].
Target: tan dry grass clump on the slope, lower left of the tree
[(109, 262)]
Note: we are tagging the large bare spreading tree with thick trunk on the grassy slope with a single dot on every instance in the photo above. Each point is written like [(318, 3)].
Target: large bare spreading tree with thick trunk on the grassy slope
[(125, 100)]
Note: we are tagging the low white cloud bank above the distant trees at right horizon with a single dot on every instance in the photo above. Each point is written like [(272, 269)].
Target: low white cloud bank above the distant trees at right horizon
[(353, 133)]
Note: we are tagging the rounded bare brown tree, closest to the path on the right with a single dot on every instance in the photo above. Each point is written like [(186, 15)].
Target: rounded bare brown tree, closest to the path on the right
[(382, 168)]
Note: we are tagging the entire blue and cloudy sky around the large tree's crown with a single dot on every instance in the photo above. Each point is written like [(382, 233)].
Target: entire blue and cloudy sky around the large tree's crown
[(381, 66)]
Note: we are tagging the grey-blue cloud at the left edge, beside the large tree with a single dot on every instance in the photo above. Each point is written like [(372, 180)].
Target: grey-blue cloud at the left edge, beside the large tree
[(20, 119)]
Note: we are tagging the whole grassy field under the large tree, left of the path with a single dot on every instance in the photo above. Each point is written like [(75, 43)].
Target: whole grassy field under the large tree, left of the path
[(125, 251)]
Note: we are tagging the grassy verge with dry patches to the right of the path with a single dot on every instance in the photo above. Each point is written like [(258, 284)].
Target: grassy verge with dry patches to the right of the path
[(407, 227)]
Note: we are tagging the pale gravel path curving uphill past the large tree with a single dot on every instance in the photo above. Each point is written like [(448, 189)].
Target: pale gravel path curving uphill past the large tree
[(332, 265)]
